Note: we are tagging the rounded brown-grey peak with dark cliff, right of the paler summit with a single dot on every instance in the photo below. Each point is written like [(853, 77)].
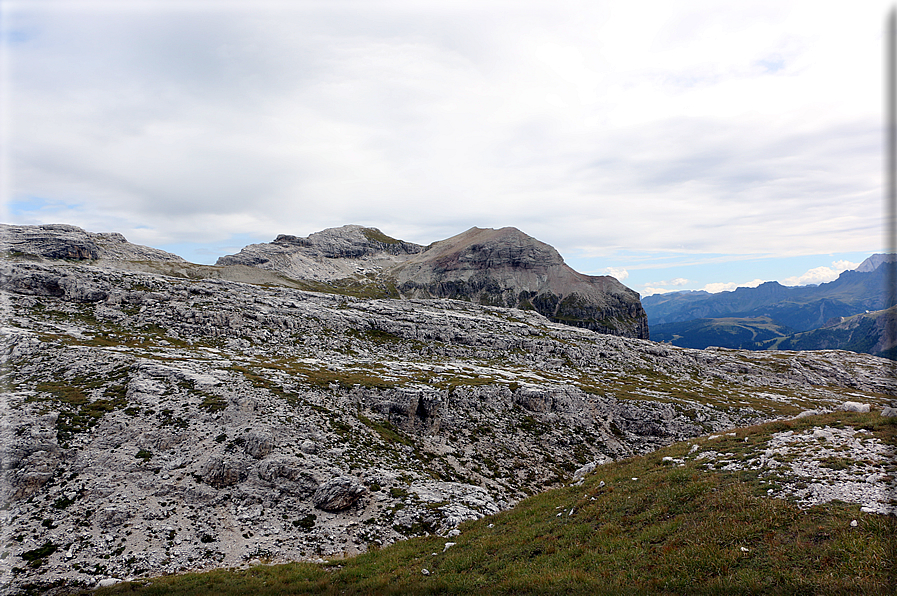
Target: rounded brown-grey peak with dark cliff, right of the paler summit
[(506, 267)]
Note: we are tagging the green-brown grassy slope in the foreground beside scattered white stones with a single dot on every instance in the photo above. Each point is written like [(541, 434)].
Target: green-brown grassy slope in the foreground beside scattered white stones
[(652, 527)]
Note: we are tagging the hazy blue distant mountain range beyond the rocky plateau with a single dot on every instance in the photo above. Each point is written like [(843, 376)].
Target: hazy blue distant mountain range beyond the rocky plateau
[(853, 312)]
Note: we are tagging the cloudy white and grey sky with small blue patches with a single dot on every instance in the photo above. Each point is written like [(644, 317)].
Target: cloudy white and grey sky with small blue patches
[(675, 145)]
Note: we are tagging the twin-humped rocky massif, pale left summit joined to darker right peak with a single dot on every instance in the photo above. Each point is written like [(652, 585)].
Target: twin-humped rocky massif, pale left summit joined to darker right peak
[(502, 267)]
